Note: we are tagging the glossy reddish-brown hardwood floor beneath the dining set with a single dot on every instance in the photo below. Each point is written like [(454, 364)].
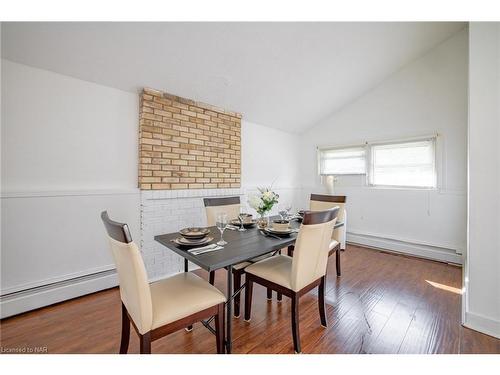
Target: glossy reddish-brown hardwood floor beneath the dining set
[(382, 303)]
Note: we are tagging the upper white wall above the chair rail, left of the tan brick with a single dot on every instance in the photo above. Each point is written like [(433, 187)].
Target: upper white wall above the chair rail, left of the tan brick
[(61, 133)]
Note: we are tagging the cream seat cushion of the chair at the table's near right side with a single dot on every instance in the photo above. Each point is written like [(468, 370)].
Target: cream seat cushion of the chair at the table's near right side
[(277, 269)]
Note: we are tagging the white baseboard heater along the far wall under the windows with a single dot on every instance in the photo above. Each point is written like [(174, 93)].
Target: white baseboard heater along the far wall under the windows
[(417, 249)]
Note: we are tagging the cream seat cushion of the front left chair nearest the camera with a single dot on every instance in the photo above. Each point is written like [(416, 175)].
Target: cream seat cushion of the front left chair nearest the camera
[(182, 295)]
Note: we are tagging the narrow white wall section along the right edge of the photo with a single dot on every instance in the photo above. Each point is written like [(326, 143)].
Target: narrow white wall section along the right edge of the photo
[(482, 271)]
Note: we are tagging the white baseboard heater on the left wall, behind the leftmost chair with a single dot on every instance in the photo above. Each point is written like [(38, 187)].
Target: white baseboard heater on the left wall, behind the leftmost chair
[(30, 299)]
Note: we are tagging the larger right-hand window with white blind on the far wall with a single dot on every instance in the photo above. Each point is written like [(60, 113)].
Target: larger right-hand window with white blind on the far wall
[(404, 164)]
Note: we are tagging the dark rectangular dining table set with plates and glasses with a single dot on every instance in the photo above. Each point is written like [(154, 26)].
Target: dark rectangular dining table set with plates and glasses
[(242, 246)]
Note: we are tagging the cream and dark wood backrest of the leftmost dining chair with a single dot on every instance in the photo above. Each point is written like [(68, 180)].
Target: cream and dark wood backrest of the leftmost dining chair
[(134, 287)]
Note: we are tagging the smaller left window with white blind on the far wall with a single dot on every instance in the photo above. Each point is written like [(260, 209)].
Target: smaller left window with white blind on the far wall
[(350, 160)]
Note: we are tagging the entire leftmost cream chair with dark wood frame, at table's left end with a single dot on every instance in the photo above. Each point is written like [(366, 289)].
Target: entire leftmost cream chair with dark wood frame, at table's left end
[(165, 306)]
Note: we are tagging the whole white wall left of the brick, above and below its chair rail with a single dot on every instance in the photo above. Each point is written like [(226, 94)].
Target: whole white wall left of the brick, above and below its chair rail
[(69, 150)]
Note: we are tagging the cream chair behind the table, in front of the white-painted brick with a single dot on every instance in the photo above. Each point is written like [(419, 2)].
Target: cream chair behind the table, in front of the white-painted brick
[(231, 207)]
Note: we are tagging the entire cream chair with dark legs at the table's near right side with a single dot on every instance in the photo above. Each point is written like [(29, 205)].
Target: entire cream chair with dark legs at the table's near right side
[(294, 277)]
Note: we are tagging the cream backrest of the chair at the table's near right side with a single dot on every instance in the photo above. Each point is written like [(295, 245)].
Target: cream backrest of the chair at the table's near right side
[(310, 255)]
